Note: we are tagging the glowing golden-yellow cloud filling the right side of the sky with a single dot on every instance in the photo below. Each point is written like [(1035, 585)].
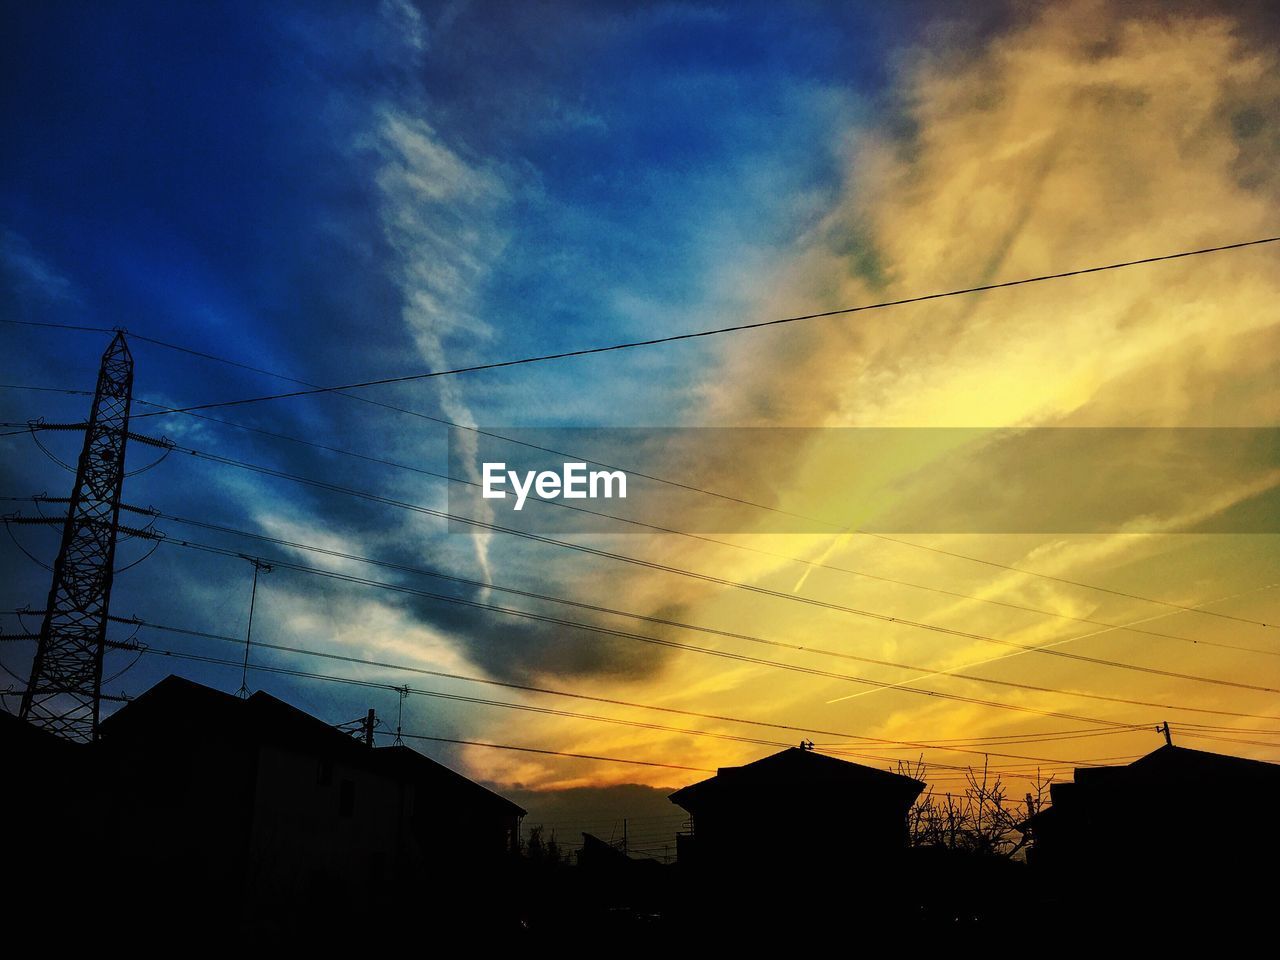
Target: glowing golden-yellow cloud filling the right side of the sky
[(1085, 135)]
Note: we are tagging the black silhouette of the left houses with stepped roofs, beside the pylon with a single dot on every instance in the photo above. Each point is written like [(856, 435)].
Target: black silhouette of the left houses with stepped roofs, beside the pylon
[(260, 803)]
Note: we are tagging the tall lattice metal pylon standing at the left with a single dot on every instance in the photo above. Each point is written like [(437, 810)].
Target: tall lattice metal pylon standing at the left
[(66, 688)]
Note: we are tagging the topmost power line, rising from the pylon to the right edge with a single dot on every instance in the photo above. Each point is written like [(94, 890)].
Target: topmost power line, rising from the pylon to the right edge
[(735, 328)]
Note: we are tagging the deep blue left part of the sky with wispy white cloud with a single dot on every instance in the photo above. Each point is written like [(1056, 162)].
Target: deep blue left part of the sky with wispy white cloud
[(346, 191)]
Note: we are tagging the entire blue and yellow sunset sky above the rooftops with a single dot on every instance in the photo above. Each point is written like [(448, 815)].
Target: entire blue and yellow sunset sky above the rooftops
[(337, 193)]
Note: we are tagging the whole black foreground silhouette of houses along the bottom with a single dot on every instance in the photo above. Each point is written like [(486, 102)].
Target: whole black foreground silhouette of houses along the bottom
[(203, 819)]
